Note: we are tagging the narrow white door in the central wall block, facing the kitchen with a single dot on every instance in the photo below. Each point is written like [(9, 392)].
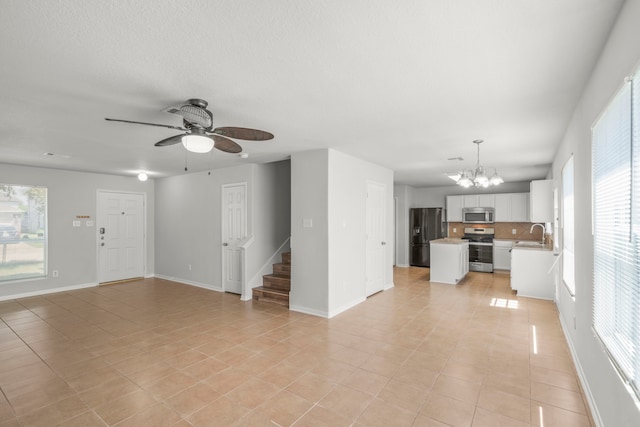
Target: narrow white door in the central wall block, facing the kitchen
[(376, 237)]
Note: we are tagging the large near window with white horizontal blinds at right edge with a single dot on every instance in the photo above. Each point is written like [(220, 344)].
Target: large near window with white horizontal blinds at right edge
[(616, 228)]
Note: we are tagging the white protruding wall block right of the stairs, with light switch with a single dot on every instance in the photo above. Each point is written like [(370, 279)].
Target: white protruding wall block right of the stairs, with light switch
[(328, 271)]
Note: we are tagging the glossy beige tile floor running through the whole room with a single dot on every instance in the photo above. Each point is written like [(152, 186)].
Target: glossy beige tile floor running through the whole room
[(158, 353)]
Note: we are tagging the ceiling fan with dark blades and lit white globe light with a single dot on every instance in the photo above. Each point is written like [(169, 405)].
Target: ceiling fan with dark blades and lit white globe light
[(200, 136)]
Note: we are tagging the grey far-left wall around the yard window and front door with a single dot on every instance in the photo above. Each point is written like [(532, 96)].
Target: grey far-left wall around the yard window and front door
[(73, 250)]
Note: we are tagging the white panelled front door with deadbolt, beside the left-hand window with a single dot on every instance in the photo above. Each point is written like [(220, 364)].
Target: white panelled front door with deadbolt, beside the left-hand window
[(120, 226)]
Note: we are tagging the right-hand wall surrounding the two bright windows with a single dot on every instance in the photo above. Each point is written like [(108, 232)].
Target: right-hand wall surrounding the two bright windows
[(612, 403)]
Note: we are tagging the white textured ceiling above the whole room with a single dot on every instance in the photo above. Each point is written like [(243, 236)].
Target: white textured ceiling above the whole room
[(403, 84)]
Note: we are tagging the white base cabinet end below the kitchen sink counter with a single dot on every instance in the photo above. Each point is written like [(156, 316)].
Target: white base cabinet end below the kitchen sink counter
[(531, 272)]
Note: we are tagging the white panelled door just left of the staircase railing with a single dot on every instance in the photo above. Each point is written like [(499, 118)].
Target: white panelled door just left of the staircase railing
[(234, 230)]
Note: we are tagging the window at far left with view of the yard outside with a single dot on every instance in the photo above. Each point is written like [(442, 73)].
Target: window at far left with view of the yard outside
[(23, 233)]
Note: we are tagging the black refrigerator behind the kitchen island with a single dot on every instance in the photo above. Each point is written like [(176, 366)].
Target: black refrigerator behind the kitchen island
[(425, 224)]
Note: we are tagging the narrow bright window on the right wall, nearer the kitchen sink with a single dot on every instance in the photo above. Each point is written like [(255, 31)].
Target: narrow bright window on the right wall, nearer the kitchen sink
[(568, 272)]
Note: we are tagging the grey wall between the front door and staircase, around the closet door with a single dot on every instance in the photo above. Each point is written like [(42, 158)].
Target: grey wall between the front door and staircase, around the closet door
[(189, 215)]
